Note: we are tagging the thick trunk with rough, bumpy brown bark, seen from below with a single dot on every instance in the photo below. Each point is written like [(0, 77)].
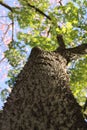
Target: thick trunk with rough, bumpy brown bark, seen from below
[(41, 98)]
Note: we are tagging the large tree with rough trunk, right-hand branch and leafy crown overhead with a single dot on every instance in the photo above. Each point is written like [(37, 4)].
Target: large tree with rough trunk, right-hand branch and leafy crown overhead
[(41, 97)]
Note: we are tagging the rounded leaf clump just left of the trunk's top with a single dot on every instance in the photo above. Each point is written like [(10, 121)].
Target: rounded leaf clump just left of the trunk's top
[(15, 54)]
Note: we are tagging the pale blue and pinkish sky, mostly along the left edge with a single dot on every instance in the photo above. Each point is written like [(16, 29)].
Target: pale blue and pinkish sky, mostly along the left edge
[(4, 65)]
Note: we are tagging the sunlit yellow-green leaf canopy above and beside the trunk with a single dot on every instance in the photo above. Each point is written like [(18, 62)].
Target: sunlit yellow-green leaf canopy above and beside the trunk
[(44, 28)]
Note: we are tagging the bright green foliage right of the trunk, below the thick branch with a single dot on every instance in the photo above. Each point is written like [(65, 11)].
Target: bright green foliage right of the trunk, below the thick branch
[(79, 80)]
